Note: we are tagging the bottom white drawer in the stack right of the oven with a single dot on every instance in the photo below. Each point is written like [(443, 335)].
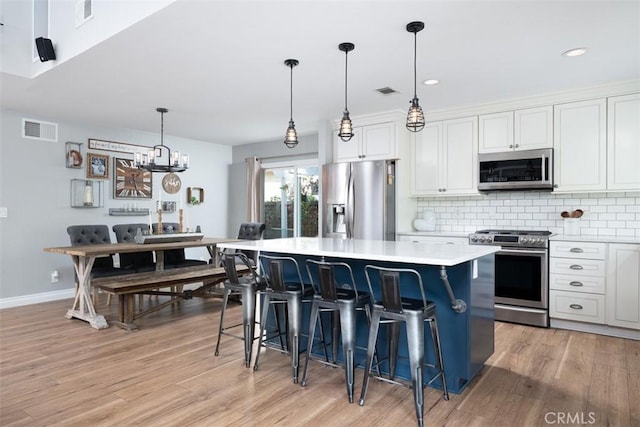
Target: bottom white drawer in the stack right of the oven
[(576, 306)]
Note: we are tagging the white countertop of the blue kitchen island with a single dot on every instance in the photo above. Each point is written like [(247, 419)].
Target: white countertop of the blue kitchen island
[(376, 250)]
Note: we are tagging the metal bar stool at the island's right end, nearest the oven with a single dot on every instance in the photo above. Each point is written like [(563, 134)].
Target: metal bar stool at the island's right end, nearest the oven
[(393, 309)]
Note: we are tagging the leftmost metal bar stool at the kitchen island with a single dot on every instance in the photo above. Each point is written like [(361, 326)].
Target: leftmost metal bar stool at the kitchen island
[(247, 287)]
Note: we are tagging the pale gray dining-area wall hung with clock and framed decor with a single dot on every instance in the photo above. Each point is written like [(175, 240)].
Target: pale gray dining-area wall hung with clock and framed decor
[(35, 188)]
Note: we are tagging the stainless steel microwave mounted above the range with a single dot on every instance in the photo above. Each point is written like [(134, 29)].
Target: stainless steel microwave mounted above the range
[(516, 170)]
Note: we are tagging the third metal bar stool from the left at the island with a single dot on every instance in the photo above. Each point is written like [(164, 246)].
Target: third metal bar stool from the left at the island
[(342, 301)]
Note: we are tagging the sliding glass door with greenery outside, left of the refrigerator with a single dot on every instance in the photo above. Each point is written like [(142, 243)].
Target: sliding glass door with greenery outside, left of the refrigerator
[(290, 201)]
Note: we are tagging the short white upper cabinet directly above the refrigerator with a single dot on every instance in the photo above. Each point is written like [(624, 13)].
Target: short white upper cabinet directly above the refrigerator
[(370, 142)]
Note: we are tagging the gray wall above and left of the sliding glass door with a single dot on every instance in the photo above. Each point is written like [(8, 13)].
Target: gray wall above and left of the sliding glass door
[(268, 151)]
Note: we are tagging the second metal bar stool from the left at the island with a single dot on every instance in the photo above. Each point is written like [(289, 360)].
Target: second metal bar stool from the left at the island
[(285, 292)]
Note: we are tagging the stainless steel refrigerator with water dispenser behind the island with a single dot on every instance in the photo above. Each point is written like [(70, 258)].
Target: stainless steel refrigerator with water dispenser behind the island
[(359, 200)]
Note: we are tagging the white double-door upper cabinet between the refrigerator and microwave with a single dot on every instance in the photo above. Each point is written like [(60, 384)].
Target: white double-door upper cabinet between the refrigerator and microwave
[(444, 158)]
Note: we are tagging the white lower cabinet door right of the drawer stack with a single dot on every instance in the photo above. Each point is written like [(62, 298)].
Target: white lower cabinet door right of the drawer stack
[(623, 285)]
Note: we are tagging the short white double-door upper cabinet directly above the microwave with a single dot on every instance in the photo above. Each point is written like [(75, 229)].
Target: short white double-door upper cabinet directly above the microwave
[(526, 129)]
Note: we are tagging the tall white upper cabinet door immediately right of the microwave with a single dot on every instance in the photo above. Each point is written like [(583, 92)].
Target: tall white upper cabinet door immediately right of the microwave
[(580, 150)]
